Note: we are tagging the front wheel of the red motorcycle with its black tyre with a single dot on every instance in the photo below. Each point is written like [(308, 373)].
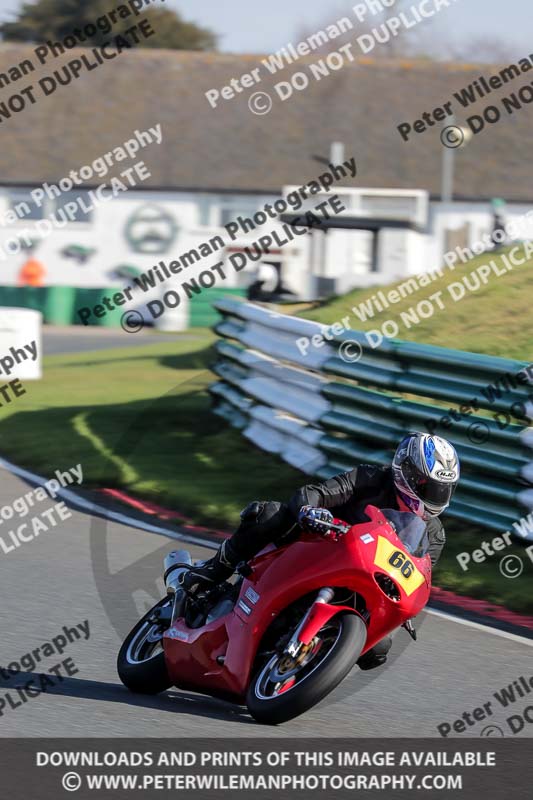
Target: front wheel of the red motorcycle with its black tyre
[(279, 692)]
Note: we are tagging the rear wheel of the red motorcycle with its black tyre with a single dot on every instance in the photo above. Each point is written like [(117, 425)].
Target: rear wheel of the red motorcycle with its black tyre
[(141, 662)]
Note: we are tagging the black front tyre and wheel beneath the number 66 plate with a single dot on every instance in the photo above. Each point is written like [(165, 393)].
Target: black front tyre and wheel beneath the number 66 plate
[(322, 678)]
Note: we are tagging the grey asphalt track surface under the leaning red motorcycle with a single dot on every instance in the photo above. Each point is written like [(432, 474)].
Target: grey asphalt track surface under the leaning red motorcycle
[(106, 573)]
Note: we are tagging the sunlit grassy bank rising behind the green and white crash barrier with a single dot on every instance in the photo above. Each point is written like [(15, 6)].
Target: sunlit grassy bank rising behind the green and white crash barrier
[(495, 319)]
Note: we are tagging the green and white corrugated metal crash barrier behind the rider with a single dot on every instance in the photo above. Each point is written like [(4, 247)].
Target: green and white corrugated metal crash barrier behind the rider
[(323, 414)]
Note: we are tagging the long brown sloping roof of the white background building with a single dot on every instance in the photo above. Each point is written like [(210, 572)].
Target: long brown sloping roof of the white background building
[(231, 149)]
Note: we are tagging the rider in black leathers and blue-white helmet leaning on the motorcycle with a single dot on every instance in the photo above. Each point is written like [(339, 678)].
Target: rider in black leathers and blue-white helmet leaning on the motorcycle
[(422, 479)]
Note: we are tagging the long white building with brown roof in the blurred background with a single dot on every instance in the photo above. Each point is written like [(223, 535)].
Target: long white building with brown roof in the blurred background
[(214, 165)]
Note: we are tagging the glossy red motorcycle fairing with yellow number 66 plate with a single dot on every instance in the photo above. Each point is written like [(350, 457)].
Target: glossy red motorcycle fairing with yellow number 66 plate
[(282, 576)]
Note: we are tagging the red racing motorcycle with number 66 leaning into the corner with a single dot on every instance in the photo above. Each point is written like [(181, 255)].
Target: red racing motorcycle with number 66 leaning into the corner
[(293, 623)]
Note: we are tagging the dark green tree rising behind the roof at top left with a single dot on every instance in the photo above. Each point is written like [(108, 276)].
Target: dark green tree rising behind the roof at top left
[(55, 19)]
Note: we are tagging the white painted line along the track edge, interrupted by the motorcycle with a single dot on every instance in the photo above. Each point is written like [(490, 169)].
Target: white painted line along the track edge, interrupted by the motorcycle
[(124, 519)]
